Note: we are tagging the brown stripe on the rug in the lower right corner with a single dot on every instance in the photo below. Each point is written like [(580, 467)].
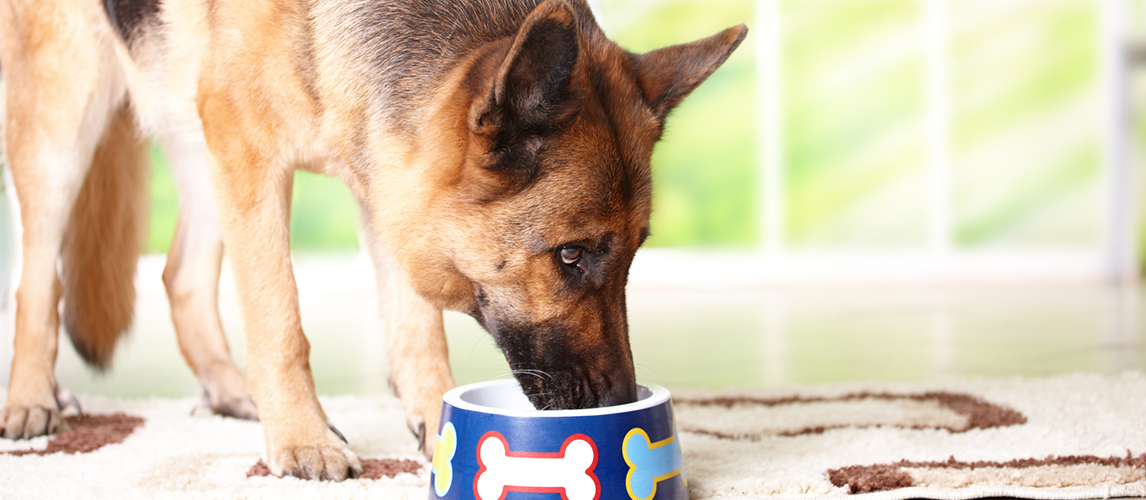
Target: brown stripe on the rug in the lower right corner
[(894, 476)]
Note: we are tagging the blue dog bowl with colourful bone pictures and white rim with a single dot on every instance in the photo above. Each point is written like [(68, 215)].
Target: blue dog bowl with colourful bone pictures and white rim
[(492, 444)]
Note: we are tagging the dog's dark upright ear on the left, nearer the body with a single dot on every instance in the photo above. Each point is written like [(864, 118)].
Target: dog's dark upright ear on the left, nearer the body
[(532, 85)]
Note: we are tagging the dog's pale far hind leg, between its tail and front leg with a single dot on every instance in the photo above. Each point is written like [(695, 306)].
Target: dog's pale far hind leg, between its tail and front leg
[(192, 278)]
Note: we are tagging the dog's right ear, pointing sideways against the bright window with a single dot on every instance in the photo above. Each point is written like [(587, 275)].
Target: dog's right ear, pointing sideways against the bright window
[(670, 75)]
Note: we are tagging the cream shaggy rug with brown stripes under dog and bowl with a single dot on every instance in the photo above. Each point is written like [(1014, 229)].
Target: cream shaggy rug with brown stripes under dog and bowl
[(1064, 437)]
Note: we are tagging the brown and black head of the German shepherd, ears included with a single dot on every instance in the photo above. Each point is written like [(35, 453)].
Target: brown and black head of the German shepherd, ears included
[(537, 228)]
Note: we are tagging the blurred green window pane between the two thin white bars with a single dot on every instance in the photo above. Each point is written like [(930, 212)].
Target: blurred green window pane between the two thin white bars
[(853, 93)]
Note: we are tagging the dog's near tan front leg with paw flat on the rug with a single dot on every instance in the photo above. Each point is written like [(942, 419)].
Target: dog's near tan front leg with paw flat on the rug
[(255, 205)]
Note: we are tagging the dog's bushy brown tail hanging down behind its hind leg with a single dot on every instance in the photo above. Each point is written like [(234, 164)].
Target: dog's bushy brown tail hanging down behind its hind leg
[(104, 240)]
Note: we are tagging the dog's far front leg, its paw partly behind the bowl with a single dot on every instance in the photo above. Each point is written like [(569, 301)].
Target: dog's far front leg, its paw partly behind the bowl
[(415, 341)]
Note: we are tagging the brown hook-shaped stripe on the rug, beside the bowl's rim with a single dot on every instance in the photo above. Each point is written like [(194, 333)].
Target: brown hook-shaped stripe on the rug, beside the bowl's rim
[(980, 413)]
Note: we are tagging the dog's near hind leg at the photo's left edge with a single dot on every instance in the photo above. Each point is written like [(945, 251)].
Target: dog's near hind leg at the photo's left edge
[(61, 87)]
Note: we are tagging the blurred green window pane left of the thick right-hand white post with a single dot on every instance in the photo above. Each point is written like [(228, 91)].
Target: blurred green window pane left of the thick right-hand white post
[(1027, 126)]
